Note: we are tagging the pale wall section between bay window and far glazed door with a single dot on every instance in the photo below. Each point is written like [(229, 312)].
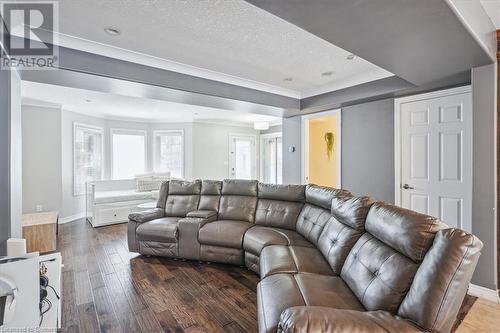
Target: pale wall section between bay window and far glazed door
[(211, 149)]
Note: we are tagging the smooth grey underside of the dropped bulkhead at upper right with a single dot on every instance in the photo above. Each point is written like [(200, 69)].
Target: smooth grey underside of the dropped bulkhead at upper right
[(420, 41)]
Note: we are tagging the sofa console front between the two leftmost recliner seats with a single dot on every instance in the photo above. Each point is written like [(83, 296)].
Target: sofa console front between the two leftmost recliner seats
[(189, 227)]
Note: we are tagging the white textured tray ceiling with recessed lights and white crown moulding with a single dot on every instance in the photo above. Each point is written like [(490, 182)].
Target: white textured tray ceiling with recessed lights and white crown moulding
[(227, 40)]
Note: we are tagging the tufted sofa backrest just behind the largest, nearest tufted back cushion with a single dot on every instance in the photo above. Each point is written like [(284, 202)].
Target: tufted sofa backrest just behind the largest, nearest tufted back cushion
[(343, 229)]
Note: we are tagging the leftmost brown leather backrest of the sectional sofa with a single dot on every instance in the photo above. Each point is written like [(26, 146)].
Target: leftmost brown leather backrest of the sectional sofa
[(182, 198)]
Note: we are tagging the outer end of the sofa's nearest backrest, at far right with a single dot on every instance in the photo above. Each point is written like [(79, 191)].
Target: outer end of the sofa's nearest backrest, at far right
[(439, 287)]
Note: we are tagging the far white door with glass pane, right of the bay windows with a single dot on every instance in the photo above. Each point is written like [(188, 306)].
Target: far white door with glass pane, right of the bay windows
[(242, 157)]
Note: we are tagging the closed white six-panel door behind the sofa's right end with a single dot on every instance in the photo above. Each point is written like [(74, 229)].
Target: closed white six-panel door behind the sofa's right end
[(436, 157)]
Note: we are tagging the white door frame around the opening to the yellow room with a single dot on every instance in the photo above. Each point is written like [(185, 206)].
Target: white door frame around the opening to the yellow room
[(304, 140)]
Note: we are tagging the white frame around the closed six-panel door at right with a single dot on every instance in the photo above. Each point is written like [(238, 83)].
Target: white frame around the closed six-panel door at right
[(397, 130)]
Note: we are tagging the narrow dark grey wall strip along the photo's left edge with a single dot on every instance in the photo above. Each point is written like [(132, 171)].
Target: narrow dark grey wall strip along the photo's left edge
[(4, 158)]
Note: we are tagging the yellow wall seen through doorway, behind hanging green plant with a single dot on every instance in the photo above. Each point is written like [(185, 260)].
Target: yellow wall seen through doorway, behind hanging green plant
[(322, 170)]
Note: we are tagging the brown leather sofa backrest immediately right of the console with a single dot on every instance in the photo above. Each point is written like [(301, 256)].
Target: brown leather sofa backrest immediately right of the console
[(239, 200)]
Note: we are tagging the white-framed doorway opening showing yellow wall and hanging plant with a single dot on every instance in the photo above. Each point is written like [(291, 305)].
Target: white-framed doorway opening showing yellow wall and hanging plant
[(321, 143)]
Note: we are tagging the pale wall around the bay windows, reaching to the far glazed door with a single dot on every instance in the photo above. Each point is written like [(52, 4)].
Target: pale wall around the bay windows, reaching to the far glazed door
[(48, 154)]
